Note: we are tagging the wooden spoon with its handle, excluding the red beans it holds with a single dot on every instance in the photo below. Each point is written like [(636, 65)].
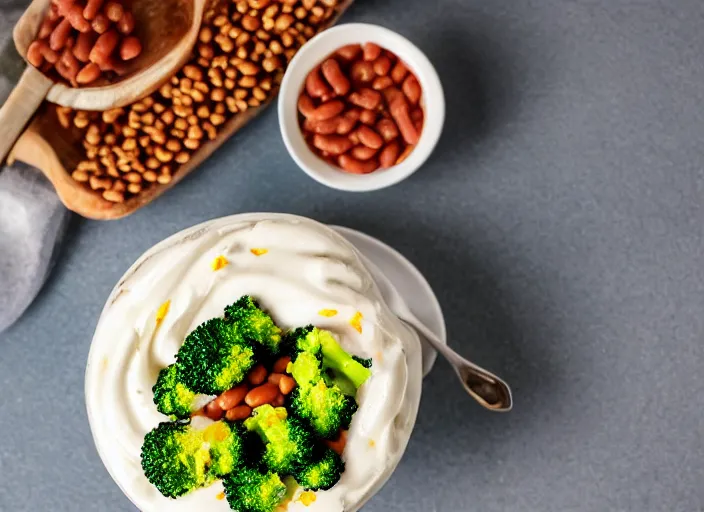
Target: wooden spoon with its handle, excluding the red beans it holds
[(167, 31)]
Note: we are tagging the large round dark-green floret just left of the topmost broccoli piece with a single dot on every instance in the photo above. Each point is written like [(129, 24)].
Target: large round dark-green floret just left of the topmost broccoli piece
[(214, 357)]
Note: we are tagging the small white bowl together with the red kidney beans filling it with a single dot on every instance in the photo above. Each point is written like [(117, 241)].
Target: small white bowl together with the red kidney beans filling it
[(361, 108)]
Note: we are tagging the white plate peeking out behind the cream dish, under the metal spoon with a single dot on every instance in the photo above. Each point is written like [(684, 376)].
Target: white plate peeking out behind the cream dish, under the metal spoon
[(408, 281)]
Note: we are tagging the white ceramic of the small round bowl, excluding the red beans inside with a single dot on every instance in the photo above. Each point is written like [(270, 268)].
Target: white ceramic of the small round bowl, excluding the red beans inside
[(312, 54)]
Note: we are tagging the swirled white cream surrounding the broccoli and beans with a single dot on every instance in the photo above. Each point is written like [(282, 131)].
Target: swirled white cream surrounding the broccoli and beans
[(307, 268)]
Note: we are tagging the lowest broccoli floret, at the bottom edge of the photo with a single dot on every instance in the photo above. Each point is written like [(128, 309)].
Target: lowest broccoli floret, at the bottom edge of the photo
[(248, 490)]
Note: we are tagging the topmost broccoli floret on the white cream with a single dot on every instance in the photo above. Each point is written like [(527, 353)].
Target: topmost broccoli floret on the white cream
[(254, 324)]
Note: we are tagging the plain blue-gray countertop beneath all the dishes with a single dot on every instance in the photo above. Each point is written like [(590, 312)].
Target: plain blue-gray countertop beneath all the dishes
[(560, 221)]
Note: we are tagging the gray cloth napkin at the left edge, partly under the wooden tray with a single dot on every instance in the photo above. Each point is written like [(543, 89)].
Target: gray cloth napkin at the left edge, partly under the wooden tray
[(31, 216)]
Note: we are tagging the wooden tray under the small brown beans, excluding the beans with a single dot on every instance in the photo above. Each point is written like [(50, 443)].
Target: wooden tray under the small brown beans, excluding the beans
[(56, 151)]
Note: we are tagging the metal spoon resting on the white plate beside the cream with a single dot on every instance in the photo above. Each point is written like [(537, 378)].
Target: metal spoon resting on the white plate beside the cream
[(485, 387)]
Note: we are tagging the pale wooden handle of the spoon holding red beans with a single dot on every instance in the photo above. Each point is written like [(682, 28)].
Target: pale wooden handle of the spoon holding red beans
[(23, 102)]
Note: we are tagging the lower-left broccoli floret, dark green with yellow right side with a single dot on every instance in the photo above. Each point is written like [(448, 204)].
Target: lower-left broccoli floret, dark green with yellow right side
[(175, 459)]
